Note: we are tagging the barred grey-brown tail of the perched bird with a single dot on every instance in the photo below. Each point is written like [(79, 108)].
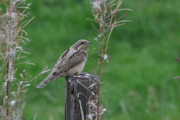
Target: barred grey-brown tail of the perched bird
[(48, 79)]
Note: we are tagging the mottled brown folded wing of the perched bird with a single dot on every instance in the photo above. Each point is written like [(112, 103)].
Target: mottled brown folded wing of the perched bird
[(74, 60)]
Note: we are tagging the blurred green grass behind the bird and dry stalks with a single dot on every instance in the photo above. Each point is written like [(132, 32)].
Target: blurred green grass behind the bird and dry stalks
[(143, 53)]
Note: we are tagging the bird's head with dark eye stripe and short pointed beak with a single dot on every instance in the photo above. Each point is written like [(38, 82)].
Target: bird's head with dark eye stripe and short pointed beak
[(81, 45)]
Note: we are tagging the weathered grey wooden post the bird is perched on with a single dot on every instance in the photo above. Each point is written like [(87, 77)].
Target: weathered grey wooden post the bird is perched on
[(77, 93)]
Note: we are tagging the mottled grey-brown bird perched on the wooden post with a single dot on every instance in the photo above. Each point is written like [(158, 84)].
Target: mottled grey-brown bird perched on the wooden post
[(70, 63)]
